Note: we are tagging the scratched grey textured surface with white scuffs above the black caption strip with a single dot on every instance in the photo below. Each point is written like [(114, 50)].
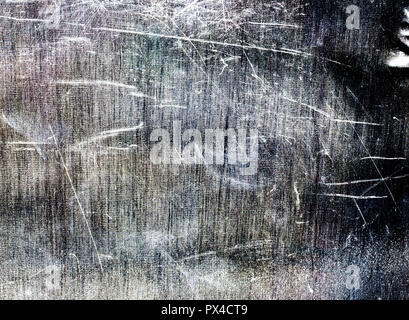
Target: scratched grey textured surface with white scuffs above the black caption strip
[(84, 214)]
